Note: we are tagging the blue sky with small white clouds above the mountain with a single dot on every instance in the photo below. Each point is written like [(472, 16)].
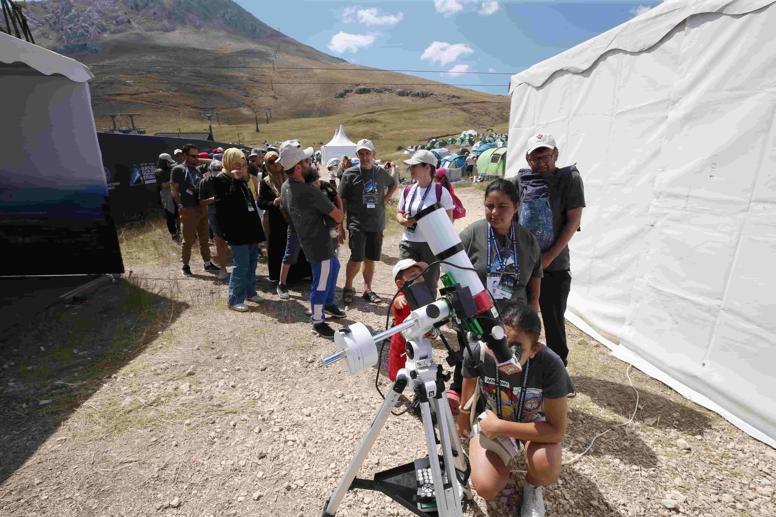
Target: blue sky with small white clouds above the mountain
[(446, 36)]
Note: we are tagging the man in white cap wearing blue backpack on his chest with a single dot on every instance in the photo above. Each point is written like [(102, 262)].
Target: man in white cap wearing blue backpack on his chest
[(551, 203)]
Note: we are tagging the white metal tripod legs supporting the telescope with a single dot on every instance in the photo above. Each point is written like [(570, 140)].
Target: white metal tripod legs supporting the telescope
[(427, 381)]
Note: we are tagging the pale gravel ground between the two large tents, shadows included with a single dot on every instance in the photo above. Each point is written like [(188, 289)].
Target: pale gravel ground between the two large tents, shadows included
[(151, 398)]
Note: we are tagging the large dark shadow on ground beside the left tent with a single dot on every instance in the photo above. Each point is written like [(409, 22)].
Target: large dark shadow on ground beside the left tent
[(57, 361)]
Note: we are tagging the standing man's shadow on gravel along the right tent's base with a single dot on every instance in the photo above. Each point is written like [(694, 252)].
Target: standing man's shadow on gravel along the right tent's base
[(620, 398)]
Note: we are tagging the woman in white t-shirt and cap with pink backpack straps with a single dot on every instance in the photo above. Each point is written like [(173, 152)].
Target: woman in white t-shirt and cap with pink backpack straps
[(422, 193)]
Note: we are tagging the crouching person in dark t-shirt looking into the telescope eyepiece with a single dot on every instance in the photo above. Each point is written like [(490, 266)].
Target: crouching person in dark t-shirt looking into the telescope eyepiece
[(528, 407)]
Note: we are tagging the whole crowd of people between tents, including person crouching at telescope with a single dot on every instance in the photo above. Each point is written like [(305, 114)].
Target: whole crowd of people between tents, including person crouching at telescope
[(519, 249)]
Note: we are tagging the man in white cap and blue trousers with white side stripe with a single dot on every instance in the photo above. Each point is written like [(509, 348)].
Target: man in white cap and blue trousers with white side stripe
[(308, 207)]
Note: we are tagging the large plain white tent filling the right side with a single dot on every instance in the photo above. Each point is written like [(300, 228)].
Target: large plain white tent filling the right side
[(670, 119)]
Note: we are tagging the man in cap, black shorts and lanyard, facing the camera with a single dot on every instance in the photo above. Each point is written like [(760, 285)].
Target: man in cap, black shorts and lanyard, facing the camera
[(364, 189)]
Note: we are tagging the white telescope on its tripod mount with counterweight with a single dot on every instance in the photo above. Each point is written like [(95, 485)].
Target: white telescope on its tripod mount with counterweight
[(467, 306)]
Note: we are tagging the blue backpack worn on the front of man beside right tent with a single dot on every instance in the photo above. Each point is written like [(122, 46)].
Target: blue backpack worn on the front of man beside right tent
[(536, 205)]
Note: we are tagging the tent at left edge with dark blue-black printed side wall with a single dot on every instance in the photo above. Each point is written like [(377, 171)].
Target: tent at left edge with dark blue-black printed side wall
[(51, 174)]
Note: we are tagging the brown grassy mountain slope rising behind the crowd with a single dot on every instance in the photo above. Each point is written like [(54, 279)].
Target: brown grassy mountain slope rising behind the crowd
[(169, 60)]
